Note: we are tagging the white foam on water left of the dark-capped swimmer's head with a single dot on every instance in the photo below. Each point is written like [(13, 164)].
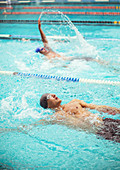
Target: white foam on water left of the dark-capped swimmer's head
[(19, 109)]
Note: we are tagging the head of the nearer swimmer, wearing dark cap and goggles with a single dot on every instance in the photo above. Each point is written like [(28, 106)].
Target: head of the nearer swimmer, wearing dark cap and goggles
[(51, 101)]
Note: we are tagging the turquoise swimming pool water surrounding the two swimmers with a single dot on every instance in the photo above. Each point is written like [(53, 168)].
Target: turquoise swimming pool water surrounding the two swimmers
[(56, 146)]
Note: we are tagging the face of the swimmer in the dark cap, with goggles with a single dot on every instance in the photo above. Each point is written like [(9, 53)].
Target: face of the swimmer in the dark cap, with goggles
[(53, 101)]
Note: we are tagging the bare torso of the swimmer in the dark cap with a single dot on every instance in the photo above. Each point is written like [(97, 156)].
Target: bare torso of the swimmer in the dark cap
[(79, 116)]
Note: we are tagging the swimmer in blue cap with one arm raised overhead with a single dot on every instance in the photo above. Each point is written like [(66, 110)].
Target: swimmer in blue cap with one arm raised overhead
[(49, 53)]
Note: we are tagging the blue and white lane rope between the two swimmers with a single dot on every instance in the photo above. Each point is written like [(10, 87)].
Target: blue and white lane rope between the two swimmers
[(59, 78)]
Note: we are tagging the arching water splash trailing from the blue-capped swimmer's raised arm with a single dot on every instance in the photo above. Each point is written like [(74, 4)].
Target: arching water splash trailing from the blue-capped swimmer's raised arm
[(75, 44)]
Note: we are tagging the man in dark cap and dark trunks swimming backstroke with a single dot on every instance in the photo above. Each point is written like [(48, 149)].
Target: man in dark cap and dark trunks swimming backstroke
[(76, 114)]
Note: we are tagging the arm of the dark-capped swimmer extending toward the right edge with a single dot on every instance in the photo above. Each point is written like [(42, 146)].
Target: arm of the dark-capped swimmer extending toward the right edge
[(100, 108)]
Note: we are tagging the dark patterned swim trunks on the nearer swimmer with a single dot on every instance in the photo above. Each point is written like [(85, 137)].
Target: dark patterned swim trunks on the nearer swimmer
[(110, 129)]
